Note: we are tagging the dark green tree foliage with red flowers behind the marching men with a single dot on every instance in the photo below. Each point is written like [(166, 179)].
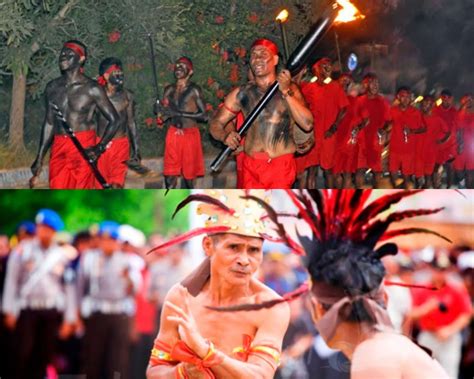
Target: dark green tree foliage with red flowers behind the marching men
[(215, 35)]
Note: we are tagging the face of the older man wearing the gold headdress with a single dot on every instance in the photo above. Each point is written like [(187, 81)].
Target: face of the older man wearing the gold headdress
[(234, 257)]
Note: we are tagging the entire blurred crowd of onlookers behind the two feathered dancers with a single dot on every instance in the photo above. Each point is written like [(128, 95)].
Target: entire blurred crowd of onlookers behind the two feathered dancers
[(90, 303)]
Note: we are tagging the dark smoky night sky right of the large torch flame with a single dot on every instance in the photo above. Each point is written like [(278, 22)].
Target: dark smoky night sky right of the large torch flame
[(430, 42)]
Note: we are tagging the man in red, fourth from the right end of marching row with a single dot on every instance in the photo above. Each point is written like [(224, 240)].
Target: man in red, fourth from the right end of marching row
[(406, 122)]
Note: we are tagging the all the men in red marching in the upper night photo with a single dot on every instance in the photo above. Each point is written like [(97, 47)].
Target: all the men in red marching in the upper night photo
[(323, 122)]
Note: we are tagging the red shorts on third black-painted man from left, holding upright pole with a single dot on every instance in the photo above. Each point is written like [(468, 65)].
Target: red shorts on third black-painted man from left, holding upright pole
[(183, 153)]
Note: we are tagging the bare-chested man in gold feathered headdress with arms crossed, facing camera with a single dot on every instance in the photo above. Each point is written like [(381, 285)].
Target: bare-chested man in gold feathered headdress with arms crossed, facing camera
[(194, 340)]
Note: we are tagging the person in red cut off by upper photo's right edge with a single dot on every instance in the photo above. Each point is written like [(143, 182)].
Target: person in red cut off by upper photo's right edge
[(464, 163)]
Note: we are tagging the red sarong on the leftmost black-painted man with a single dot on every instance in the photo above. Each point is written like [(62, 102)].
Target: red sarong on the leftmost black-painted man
[(67, 168)]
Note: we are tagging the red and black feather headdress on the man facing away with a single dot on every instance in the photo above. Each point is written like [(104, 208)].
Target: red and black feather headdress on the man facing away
[(340, 218)]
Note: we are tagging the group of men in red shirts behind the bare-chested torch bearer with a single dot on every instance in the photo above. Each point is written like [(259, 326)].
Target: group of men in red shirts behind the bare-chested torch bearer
[(353, 126)]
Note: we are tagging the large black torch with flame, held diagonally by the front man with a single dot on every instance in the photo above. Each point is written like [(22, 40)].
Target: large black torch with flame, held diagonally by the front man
[(341, 11)]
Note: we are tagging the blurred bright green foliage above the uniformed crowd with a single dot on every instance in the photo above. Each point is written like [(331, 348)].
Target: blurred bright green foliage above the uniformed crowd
[(150, 211)]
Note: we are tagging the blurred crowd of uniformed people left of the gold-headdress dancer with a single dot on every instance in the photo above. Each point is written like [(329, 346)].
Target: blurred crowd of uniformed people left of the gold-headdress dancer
[(86, 303)]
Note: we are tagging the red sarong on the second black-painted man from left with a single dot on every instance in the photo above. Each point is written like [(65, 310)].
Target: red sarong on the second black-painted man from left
[(111, 162)]
